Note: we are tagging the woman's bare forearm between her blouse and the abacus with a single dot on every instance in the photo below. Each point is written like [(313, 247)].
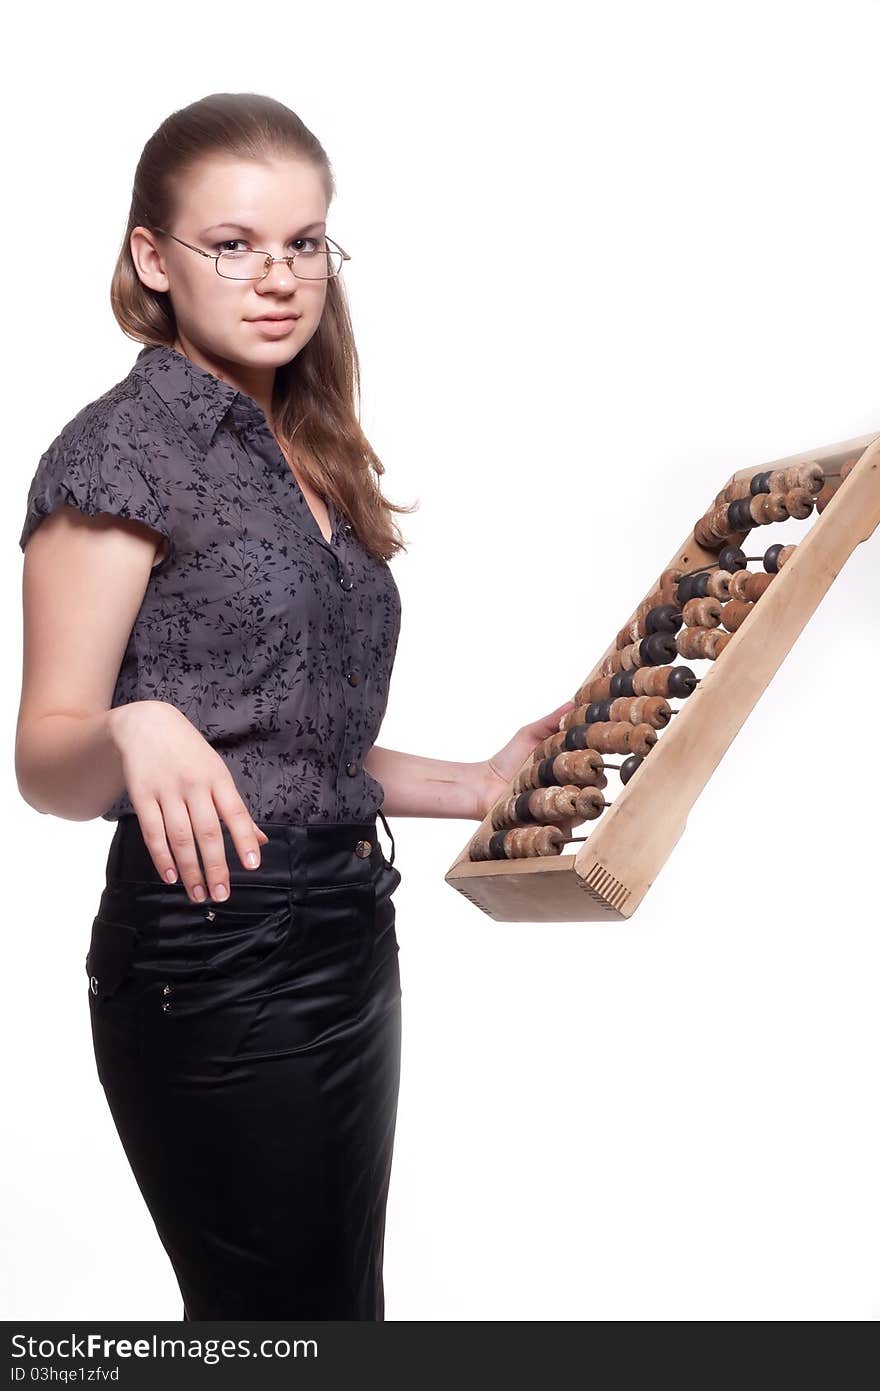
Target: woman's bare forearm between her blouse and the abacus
[(418, 787)]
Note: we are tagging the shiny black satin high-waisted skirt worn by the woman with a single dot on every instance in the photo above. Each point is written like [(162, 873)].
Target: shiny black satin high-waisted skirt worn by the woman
[(250, 1052)]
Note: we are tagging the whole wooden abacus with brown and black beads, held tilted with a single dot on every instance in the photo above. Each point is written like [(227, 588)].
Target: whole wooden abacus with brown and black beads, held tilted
[(743, 622)]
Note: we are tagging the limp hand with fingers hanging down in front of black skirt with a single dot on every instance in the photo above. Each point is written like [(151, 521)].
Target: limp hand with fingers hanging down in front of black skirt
[(181, 789)]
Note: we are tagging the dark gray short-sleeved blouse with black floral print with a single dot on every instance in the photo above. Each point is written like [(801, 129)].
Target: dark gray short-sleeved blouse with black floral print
[(277, 645)]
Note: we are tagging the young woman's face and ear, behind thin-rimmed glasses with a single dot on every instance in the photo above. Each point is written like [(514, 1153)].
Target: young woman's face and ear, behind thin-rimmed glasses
[(284, 205)]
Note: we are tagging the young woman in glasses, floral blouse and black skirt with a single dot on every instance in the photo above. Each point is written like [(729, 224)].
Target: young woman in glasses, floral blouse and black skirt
[(211, 628)]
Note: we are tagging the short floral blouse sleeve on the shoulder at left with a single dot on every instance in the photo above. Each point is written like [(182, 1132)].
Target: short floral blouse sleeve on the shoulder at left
[(95, 469)]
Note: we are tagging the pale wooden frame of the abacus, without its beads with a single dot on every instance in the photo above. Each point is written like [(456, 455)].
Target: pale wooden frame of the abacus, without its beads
[(610, 876)]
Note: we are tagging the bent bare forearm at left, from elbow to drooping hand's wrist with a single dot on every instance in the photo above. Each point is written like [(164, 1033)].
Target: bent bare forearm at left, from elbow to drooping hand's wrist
[(69, 766)]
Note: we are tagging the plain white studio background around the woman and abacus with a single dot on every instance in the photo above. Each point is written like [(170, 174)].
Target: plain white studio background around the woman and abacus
[(601, 258)]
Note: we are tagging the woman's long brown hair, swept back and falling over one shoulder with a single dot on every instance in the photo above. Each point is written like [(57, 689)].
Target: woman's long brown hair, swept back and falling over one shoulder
[(315, 396)]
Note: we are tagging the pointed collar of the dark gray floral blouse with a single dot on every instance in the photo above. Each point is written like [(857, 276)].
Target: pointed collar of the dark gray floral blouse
[(195, 397)]
